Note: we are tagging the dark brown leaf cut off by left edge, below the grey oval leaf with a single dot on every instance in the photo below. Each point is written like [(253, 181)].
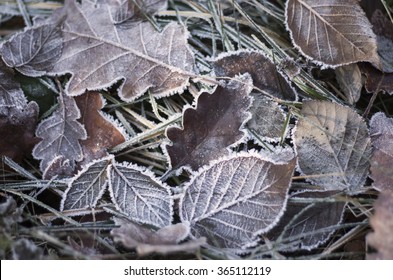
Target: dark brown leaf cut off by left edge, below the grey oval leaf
[(18, 118)]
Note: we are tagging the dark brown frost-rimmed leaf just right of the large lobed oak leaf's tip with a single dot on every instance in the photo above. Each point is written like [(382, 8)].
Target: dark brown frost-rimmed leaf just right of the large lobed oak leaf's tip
[(264, 73)]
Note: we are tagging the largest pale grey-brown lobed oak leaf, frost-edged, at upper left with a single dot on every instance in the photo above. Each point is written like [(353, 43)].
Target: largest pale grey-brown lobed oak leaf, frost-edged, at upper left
[(99, 53)]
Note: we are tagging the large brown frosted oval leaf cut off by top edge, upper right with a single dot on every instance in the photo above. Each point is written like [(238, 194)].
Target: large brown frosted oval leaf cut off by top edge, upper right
[(331, 32)]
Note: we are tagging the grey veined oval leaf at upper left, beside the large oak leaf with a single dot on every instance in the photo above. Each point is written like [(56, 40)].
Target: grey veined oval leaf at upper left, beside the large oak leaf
[(35, 50)]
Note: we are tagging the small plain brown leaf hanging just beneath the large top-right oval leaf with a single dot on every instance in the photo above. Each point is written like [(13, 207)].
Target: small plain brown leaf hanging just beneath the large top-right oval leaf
[(350, 80)]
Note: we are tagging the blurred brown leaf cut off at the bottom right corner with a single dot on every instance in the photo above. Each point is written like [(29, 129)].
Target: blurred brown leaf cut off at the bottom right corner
[(382, 223)]
